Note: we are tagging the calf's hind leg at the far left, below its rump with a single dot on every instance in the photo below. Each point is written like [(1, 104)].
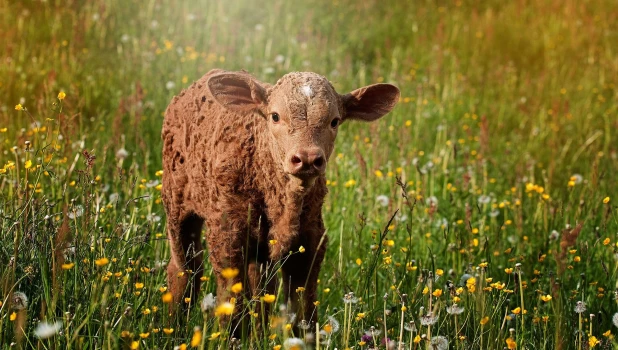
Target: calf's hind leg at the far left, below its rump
[(187, 257)]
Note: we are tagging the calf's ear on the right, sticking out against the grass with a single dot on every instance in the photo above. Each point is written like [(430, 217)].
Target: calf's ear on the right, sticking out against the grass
[(370, 102)]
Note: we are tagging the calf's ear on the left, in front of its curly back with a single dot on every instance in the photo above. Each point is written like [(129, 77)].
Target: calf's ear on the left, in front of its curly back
[(237, 91)]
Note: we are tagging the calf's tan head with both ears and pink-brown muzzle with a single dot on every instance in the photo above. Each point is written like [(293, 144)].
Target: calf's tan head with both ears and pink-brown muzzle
[(303, 113)]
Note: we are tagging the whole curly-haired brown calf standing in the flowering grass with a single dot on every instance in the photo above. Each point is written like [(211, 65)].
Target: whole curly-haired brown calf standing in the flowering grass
[(253, 177)]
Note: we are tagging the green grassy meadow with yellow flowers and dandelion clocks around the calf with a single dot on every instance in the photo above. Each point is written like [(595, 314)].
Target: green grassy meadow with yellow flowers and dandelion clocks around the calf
[(480, 214)]
